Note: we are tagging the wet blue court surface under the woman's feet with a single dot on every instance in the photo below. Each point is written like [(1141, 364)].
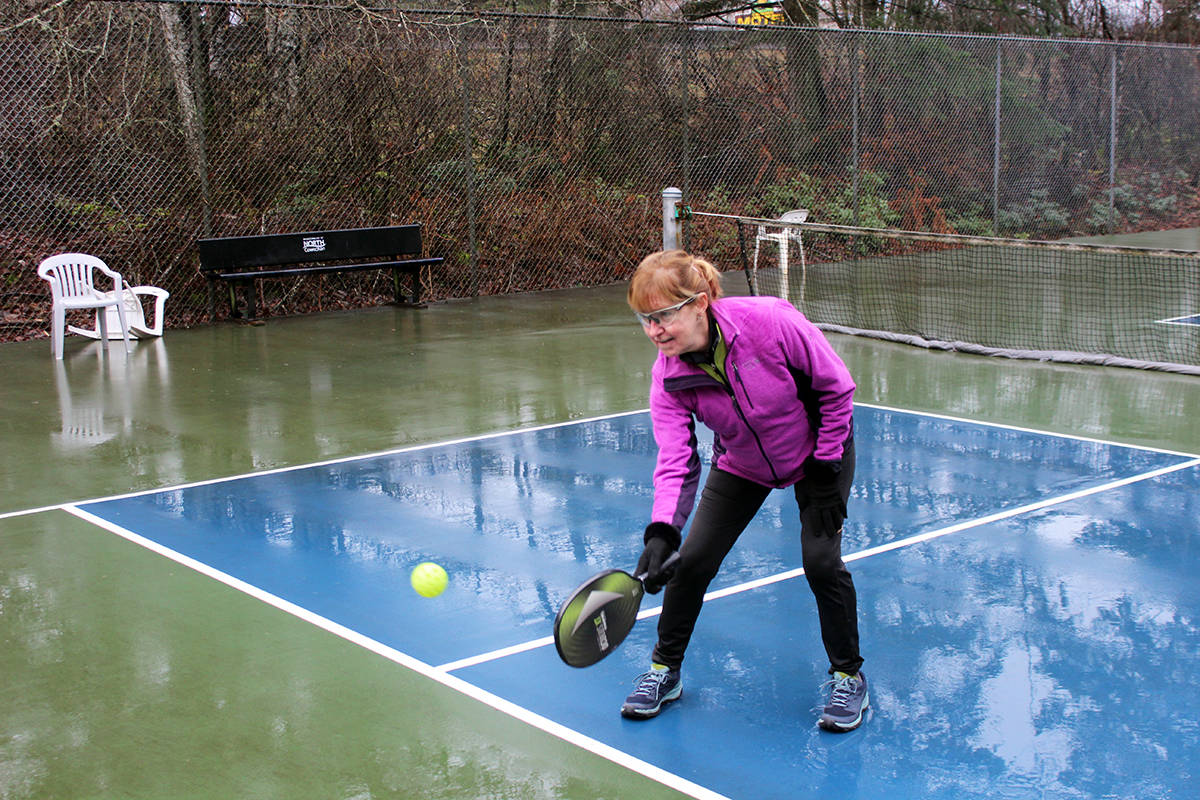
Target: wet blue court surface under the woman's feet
[(1028, 603)]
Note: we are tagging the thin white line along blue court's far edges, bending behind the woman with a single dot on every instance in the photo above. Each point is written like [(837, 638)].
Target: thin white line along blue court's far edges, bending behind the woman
[(499, 435)]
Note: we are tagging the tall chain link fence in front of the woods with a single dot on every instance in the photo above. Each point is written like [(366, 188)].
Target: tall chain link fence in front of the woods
[(533, 149)]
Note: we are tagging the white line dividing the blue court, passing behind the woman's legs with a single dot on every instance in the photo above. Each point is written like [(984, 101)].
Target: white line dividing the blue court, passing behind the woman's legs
[(855, 557)]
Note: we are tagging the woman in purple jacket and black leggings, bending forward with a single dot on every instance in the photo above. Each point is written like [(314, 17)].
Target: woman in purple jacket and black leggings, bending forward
[(781, 405)]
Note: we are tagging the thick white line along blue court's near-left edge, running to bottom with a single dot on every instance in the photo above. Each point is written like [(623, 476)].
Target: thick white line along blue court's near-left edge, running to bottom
[(416, 665)]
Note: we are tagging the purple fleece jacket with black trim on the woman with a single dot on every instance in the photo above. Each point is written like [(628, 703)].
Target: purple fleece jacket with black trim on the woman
[(793, 398)]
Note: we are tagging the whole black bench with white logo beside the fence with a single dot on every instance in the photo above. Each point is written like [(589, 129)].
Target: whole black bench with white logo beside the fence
[(242, 261)]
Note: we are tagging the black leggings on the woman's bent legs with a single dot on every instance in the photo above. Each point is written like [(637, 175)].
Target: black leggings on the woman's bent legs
[(727, 507)]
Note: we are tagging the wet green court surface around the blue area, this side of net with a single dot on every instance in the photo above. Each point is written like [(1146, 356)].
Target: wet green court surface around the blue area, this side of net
[(128, 676)]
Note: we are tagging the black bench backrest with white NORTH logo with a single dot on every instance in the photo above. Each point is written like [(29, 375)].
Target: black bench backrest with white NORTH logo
[(274, 250)]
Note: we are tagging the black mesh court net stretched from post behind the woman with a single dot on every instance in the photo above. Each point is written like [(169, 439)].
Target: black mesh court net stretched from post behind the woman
[(1049, 302)]
